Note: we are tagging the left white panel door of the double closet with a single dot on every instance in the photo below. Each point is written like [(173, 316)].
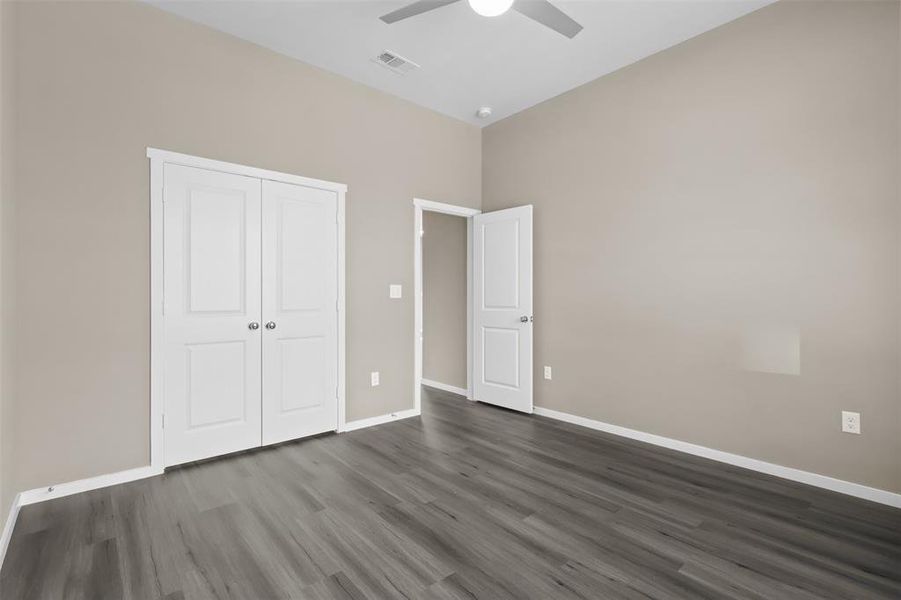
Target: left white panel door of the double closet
[(211, 304)]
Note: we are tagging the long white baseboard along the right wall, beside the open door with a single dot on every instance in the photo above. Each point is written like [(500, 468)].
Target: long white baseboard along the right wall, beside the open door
[(814, 479)]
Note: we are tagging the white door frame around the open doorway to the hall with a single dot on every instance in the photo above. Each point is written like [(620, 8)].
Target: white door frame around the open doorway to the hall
[(420, 205)]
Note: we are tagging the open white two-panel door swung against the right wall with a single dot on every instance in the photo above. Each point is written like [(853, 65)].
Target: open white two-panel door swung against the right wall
[(502, 308)]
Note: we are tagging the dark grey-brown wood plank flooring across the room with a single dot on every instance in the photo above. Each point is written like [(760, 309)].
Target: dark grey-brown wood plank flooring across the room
[(468, 501)]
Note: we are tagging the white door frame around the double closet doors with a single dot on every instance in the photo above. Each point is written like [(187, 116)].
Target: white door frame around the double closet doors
[(158, 159)]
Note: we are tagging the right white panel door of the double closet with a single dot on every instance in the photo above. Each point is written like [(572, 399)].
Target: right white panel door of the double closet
[(300, 277)]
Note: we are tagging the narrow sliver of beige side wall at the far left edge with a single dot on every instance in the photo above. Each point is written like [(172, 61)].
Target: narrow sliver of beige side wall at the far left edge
[(7, 247)]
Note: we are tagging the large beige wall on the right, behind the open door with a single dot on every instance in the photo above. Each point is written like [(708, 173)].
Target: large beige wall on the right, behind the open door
[(717, 239)]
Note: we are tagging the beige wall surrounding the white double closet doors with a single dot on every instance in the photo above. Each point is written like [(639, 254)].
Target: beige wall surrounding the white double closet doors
[(99, 82)]
